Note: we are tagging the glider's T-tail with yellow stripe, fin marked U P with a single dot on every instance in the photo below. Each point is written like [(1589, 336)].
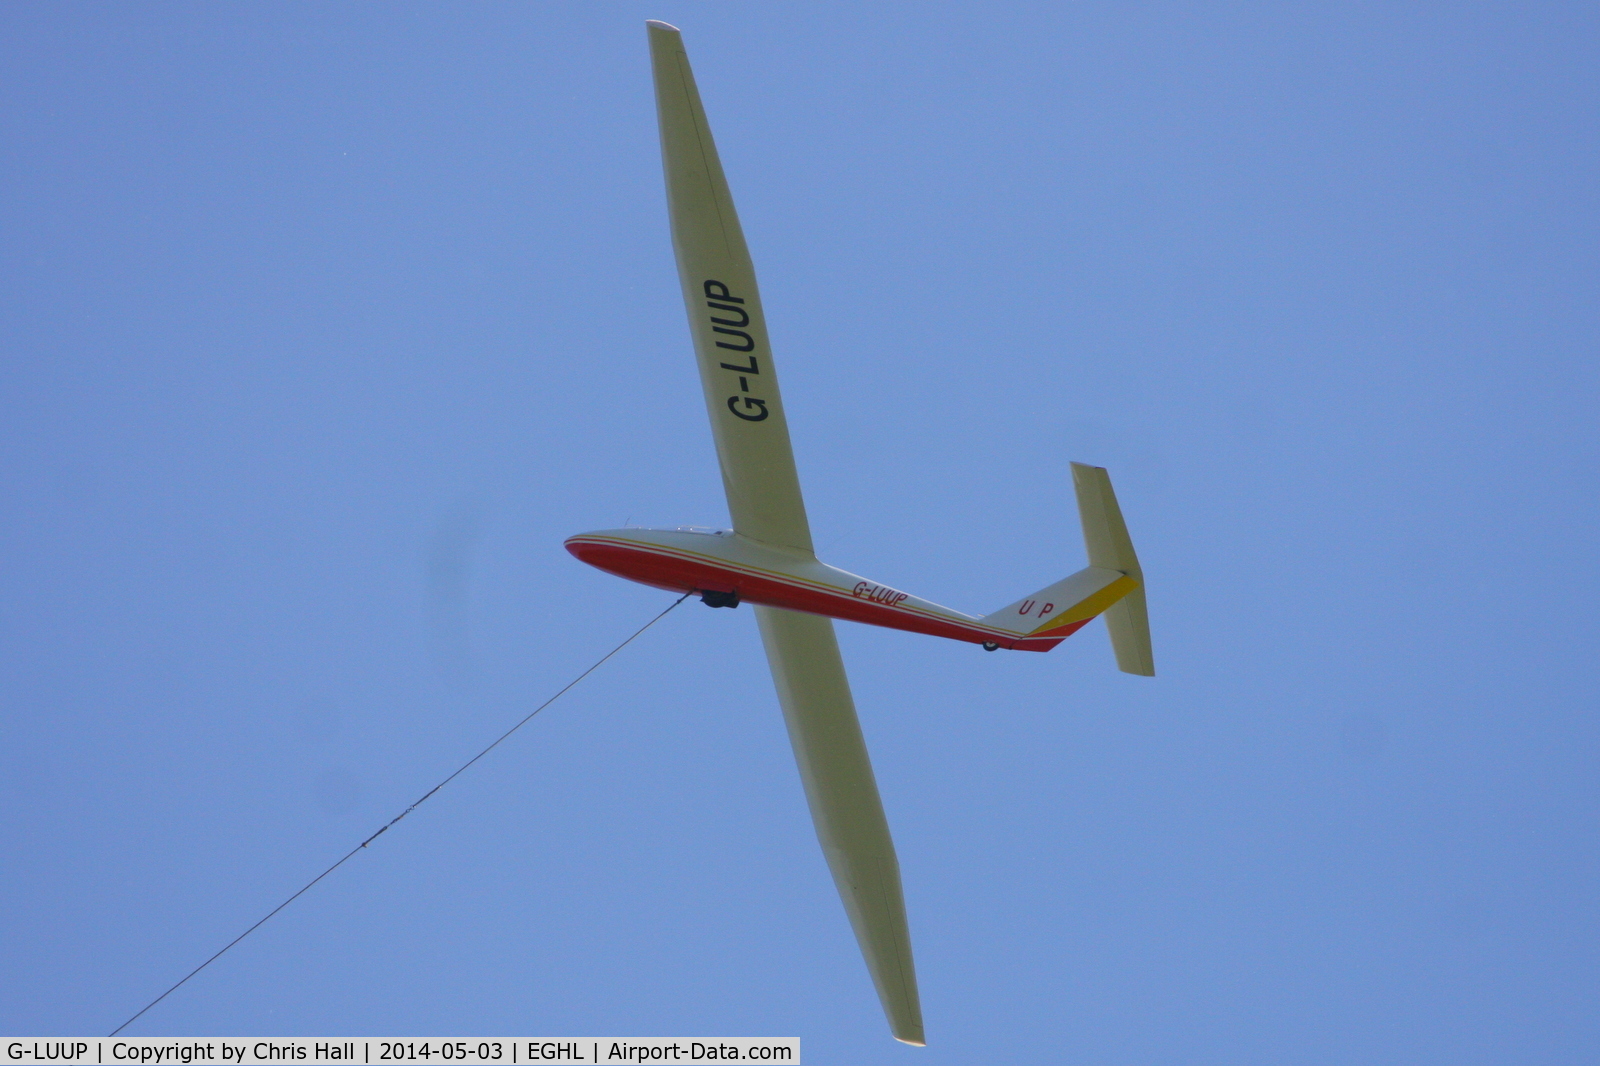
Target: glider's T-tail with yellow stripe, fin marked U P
[(1113, 585)]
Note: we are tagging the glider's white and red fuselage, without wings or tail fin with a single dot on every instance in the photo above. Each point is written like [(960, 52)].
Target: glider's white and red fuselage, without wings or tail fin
[(722, 561)]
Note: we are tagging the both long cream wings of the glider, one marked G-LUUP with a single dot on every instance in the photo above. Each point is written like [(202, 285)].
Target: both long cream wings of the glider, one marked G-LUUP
[(764, 500)]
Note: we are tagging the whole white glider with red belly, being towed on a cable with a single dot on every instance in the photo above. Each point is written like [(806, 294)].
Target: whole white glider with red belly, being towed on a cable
[(767, 558)]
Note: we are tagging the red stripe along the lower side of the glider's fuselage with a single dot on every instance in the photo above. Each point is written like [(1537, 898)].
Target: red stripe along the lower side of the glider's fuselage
[(666, 569)]
